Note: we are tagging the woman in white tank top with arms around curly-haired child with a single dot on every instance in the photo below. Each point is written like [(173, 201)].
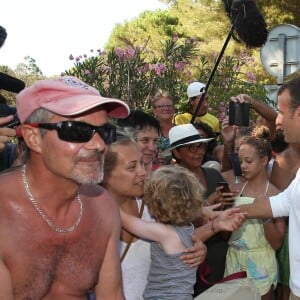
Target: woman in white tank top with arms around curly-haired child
[(124, 178)]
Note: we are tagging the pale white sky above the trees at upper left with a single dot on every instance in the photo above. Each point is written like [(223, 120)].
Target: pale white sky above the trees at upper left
[(51, 30)]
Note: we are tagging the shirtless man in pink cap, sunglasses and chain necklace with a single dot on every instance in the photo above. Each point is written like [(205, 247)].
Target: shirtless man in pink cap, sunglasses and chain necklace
[(59, 230)]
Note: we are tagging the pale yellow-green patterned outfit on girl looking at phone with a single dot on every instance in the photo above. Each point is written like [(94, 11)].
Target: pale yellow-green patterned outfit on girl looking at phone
[(250, 251)]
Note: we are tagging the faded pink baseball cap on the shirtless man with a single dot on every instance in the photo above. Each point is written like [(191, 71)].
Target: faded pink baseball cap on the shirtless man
[(66, 96)]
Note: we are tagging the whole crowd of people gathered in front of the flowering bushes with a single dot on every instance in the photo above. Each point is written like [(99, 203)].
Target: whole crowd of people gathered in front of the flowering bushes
[(104, 202)]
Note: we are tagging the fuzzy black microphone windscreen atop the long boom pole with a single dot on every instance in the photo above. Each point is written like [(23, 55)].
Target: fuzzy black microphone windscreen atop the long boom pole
[(248, 22)]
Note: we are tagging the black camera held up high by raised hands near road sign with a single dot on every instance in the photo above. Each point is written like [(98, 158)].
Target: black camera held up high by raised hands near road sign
[(239, 113)]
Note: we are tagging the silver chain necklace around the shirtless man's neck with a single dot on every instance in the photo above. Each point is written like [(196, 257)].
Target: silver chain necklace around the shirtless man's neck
[(42, 213)]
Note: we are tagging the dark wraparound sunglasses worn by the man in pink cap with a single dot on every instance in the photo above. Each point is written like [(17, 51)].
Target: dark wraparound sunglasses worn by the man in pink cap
[(79, 132)]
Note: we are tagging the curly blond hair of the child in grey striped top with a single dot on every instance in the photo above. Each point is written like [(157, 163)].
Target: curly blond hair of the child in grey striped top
[(173, 195)]
